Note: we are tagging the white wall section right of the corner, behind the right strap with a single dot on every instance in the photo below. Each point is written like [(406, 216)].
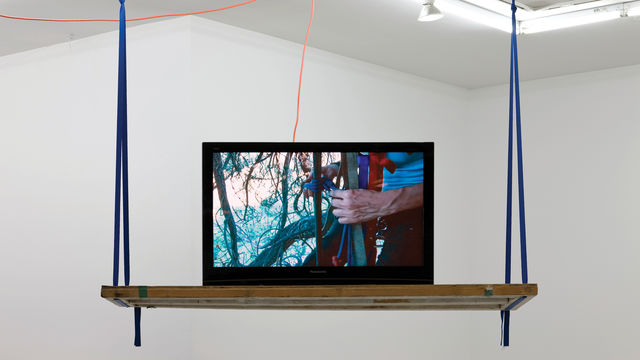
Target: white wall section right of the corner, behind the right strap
[(581, 154)]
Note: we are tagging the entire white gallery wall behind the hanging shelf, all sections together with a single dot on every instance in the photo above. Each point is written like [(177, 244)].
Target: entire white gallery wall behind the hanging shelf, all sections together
[(192, 80)]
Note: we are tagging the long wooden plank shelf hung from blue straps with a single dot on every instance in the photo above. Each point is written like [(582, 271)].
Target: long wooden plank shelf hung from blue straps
[(326, 297)]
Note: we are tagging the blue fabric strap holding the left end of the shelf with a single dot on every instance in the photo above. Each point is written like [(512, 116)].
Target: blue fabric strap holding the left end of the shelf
[(122, 171)]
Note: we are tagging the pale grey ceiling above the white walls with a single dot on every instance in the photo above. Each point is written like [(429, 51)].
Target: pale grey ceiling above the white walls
[(383, 32)]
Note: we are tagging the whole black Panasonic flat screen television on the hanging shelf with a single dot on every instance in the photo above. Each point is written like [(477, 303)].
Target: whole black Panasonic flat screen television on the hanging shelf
[(317, 213)]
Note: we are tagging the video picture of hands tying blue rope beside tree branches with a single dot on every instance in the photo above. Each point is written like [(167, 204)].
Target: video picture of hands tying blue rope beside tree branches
[(269, 208)]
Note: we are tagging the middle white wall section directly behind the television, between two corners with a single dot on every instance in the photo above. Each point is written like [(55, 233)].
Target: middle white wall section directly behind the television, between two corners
[(244, 89)]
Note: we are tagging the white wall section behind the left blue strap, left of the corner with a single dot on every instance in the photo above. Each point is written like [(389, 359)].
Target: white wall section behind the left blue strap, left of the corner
[(57, 160)]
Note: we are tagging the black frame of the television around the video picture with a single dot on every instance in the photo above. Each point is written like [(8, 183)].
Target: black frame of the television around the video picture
[(315, 275)]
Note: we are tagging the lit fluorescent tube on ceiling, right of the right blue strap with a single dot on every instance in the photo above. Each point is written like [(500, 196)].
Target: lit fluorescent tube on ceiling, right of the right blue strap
[(577, 18)]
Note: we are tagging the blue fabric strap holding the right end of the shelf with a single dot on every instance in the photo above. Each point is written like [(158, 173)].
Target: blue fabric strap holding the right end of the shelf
[(514, 86)]
